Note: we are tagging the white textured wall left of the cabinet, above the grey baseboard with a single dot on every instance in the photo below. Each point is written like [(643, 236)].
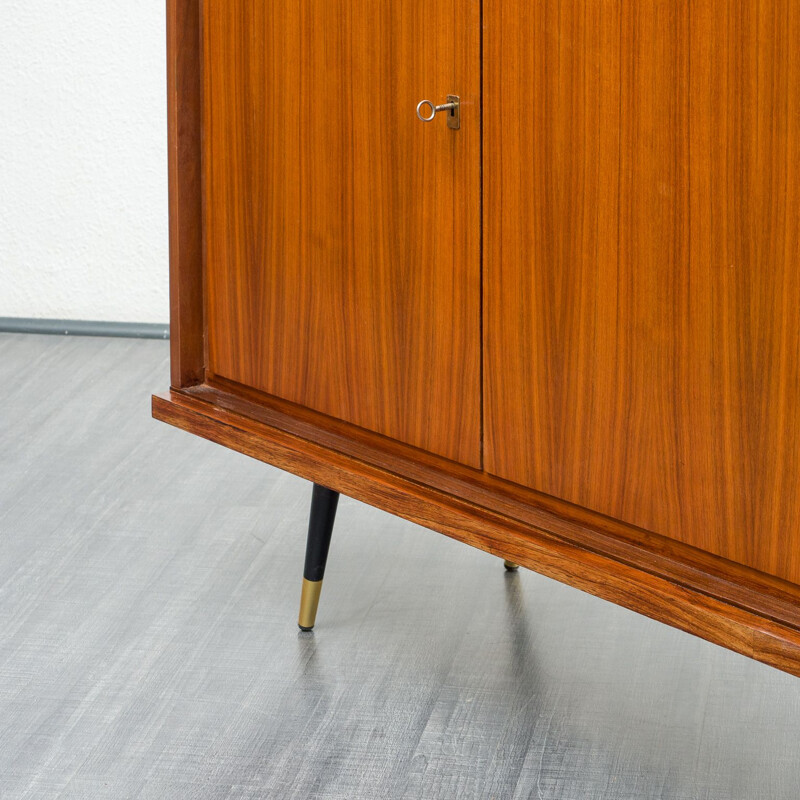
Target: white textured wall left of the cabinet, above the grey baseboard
[(83, 186)]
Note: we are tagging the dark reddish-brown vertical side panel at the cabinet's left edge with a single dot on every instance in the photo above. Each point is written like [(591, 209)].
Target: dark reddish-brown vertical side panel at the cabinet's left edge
[(185, 201)]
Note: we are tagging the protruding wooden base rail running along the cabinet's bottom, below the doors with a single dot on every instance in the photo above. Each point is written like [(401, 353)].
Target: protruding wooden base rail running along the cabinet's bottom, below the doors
[(730, 605)]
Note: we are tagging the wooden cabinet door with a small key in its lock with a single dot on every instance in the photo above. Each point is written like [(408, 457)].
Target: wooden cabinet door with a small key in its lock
[(342, 242)]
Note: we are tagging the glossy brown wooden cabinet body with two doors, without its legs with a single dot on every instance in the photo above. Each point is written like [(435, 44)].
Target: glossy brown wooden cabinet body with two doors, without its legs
[(567, 332)]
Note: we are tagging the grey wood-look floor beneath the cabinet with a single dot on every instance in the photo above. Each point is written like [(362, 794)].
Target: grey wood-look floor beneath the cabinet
[(148, 593)]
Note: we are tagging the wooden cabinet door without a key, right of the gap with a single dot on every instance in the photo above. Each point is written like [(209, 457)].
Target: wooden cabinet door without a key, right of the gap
[(642, 294)]
